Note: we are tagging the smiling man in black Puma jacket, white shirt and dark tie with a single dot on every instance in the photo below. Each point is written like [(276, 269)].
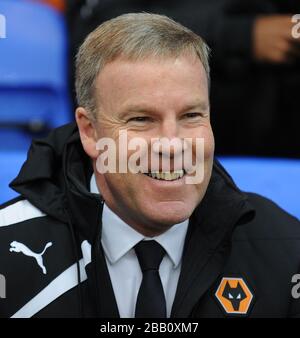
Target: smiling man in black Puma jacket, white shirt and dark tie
[(81, 241)]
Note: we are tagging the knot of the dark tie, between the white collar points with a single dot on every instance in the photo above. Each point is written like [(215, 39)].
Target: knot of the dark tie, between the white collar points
[(149, 254)]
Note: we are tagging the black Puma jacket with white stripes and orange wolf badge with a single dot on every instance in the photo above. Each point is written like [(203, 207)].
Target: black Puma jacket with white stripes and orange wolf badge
[(231, 234)]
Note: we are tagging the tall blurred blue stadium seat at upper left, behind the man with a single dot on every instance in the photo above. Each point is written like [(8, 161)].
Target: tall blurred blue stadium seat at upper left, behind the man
[(33, 73)]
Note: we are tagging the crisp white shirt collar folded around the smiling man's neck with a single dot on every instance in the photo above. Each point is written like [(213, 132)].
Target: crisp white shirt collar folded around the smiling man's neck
[(118, 237)]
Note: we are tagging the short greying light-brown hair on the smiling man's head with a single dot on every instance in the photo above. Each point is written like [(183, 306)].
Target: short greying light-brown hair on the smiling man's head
[(133, 37)]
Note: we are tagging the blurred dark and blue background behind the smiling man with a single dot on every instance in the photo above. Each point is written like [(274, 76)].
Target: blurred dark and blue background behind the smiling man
[(255, 70)]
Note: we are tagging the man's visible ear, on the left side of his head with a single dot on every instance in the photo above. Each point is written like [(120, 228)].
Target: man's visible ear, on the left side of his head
[(87, 131)]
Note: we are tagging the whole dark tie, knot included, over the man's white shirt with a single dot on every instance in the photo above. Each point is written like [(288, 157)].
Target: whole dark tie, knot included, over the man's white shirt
[(151, 302)]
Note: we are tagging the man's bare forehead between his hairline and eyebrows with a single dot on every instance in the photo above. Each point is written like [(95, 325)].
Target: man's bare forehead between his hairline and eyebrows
[(163, 82)]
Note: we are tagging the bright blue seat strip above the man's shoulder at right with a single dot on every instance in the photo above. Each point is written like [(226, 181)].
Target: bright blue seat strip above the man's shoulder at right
[(277, 179)]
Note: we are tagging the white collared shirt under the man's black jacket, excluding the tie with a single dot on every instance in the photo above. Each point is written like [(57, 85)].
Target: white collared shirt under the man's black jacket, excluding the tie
[(118, 241)]
